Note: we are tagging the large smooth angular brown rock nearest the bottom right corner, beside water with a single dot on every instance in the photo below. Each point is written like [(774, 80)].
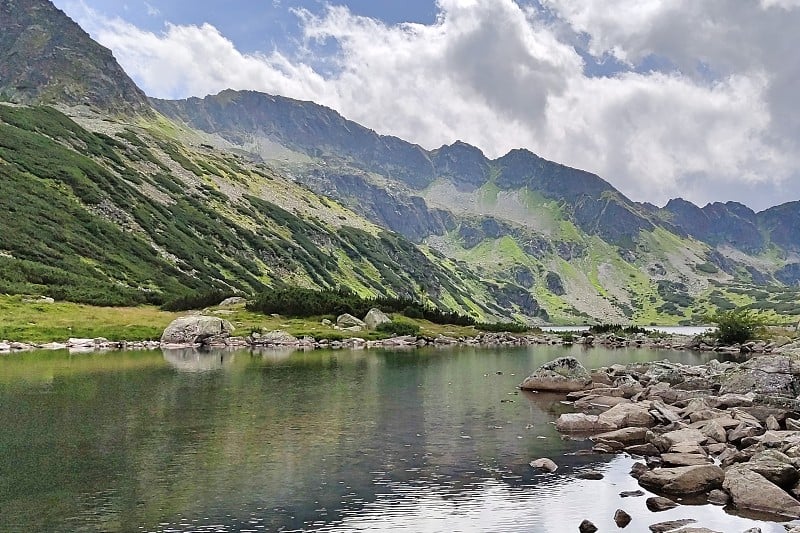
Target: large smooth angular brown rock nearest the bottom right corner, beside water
[(751, 491)]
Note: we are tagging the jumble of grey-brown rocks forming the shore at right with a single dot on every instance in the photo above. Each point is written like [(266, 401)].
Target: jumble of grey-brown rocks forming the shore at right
[(725, 433)]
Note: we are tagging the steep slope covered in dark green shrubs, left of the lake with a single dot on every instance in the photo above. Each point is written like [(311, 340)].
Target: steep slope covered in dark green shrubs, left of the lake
[(135, 214)]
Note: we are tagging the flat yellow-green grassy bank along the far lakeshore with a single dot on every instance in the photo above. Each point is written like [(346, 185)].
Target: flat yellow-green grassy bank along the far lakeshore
[(39, 322)]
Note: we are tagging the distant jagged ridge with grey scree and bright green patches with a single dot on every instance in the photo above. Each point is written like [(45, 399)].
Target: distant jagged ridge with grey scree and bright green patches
[(567, 237)]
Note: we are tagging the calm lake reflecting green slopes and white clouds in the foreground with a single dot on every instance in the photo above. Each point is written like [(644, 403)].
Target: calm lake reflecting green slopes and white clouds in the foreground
[(420, 440)]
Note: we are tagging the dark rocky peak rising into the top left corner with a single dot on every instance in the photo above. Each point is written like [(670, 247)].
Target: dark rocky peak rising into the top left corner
[(47, 58)]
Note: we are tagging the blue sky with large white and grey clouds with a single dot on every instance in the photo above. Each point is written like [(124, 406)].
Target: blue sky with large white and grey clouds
[(662, 98)]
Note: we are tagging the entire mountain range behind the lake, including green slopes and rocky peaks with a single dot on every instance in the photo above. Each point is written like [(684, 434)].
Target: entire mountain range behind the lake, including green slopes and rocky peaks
[(113, 197)]
